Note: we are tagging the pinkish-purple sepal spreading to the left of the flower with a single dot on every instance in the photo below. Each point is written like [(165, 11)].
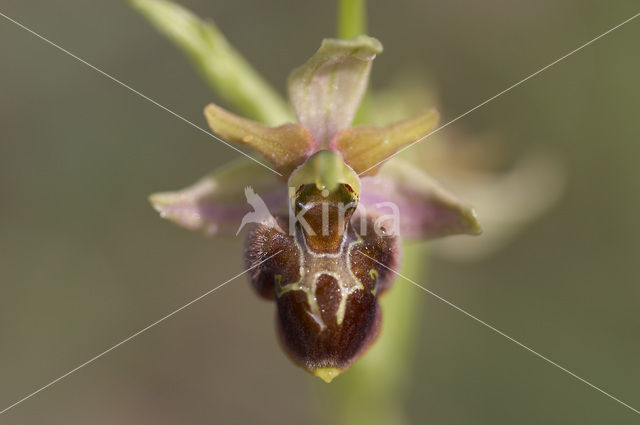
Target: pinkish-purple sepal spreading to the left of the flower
[(216, 204)]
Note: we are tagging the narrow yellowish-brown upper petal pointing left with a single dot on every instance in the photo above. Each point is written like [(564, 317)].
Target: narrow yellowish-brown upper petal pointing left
[(286, 146)]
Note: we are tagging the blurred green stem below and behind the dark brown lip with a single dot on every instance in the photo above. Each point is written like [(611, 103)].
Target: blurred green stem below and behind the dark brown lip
[(374, 390)]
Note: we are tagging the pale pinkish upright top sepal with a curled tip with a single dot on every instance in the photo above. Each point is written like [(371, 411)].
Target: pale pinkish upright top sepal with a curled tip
[(327, 90)]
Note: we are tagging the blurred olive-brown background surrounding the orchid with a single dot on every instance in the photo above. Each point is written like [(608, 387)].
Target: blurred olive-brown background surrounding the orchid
[(85, 261)]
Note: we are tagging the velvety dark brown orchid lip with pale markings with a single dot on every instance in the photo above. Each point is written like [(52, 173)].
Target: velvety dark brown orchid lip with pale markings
[(324, 283)]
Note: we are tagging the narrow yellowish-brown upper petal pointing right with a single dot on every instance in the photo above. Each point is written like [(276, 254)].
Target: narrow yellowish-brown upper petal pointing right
[(363, 147)]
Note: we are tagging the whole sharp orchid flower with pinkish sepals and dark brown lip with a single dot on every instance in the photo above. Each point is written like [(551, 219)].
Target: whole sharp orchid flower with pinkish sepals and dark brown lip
[(344, 210)]
